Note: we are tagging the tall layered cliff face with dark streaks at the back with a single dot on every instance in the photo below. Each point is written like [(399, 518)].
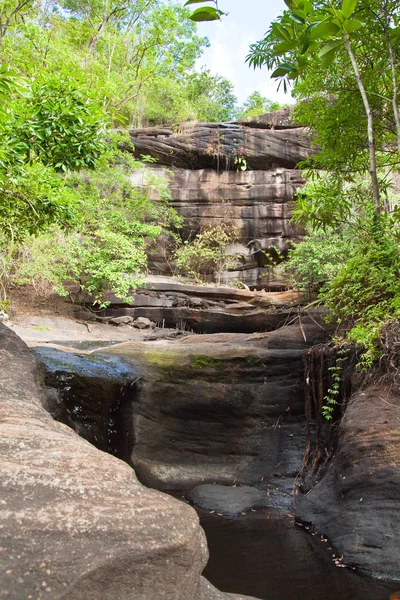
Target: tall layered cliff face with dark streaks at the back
[(210, 188)]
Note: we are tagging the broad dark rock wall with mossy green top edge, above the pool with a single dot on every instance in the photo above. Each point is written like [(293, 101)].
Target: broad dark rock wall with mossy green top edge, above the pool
[(227, 412)]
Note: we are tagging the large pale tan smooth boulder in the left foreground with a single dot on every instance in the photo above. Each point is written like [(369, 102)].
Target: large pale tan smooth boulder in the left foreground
[(75, 522)]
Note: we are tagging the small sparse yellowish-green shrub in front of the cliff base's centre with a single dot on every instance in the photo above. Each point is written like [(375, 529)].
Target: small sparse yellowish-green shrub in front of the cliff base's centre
[(206, 254)]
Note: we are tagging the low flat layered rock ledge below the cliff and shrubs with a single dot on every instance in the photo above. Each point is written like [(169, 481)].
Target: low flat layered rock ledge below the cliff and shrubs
[(202, 309)]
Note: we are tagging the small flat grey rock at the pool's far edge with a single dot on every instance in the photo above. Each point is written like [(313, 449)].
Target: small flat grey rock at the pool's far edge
[(225, 499)]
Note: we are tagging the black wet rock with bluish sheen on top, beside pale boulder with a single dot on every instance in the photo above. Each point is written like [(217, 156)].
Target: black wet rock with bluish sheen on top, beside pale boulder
[(93, 395)]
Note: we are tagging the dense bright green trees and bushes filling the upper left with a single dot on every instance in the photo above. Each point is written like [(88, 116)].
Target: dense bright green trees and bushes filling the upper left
[(74, 75)]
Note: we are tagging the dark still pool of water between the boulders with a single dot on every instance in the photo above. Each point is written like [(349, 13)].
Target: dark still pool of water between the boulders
[(267, 556)]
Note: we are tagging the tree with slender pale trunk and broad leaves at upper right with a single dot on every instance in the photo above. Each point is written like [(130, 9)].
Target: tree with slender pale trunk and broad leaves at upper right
[(311, 35)]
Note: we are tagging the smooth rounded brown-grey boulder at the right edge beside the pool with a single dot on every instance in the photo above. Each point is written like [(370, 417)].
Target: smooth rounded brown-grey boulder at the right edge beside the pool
[(356, 504)]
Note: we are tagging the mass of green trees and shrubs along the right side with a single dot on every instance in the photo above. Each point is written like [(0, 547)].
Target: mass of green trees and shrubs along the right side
[(341, 61)]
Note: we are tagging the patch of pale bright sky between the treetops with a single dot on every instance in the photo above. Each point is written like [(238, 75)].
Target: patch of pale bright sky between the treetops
[(230, 39)]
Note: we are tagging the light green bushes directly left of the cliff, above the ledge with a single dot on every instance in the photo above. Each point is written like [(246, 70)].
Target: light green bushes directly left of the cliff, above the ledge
[(108, 248)]
